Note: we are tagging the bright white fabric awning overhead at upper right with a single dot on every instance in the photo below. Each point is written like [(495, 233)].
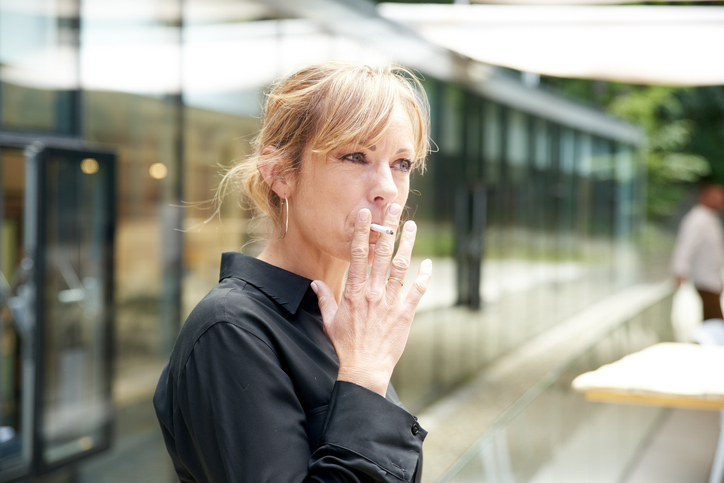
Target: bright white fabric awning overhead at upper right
[(675, 45)]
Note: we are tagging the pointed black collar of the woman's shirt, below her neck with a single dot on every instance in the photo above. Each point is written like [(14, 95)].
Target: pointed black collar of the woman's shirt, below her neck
[(285, 288)]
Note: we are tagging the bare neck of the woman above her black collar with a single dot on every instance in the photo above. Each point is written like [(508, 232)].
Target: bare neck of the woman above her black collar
[(313, 264)]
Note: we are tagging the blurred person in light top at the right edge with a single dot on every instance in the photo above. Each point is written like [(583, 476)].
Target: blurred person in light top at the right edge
[(699, 249)]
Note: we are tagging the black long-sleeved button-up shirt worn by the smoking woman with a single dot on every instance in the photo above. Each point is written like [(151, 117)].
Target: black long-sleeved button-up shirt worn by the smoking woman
[(250, 392)]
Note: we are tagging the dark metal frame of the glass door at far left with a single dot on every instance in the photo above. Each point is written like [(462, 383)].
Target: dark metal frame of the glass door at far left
[(37, 149)]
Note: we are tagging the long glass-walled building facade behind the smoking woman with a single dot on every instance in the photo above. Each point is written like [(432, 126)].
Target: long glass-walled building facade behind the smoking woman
[(131, 110)]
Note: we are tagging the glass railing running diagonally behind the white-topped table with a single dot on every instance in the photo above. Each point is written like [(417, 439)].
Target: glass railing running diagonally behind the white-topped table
[(553, 434)]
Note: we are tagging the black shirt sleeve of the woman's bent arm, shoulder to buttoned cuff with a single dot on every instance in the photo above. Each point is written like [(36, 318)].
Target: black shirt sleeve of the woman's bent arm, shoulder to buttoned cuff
[(245, 423)]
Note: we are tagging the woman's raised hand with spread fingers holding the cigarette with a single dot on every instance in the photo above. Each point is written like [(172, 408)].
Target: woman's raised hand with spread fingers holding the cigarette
[(369, 328)]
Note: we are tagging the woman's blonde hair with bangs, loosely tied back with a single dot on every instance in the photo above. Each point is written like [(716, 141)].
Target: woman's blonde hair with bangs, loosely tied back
[(322, 107)]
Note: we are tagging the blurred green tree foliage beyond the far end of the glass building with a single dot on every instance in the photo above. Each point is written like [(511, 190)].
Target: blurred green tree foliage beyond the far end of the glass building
[(684, 129)]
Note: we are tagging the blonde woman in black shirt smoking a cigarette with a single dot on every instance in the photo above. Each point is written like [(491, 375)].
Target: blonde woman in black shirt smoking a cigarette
[(281, 373)]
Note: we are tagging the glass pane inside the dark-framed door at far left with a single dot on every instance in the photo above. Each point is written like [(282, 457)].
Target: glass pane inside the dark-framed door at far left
[(74, 262)]
